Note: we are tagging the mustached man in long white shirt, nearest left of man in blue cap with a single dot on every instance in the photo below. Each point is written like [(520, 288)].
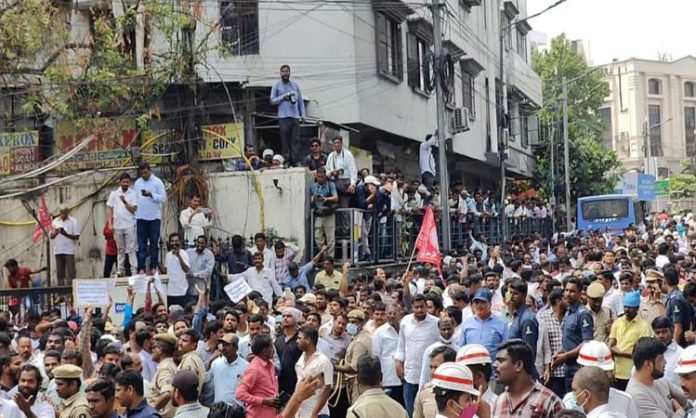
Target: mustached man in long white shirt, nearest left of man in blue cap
[(420, 330)]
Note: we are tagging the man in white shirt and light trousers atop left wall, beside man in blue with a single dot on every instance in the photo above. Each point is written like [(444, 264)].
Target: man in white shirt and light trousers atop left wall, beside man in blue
[(120, 216)]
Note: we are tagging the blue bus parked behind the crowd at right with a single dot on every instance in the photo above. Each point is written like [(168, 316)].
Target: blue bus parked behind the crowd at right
[(611, 212)]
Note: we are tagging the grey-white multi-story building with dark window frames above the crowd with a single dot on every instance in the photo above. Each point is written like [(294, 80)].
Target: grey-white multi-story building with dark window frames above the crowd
[(364, 67)]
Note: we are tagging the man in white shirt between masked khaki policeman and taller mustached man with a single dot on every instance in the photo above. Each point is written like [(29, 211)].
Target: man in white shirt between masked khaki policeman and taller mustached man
[(385, 340)]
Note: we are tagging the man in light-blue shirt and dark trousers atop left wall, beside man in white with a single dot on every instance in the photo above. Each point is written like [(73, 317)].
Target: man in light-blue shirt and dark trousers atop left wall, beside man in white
[(150, 195)]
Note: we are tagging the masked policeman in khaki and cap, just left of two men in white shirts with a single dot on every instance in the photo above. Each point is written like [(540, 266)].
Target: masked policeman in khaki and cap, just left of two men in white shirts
[(360, 345)]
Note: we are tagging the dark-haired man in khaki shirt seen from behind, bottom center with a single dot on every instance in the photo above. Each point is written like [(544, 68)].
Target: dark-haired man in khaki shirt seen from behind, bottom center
[(373, 402)]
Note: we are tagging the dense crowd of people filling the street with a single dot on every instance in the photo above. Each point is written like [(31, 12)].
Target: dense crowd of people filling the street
[(586, 324)]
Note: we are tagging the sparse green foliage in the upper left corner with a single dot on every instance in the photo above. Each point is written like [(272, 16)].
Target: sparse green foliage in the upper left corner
[(97, 73)]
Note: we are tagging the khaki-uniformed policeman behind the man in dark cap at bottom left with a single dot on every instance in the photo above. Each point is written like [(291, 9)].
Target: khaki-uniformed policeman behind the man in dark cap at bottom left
[(160, 396)]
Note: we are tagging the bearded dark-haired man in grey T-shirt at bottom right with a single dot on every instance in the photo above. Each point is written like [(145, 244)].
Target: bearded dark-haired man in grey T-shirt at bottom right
[(654, 397)]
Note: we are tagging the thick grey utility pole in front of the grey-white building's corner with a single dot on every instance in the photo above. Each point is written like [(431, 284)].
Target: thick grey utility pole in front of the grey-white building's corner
[(438, 6)]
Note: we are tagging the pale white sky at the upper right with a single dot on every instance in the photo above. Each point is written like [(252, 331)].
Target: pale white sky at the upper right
[(622, 28)]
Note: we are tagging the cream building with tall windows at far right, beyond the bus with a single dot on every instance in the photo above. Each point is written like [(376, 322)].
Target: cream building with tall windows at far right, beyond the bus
[(651, 112)]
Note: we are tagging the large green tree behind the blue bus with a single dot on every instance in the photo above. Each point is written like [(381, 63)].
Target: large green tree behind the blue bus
[(593, 168)]
